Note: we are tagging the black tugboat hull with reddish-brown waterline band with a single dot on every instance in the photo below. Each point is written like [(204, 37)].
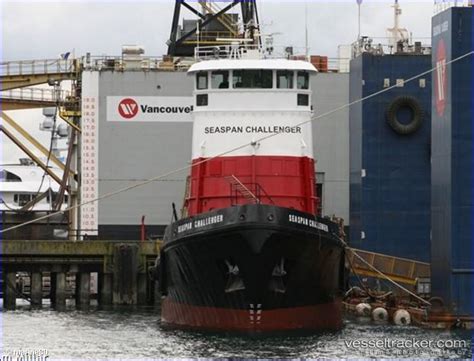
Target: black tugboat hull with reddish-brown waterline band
[(242, 267)]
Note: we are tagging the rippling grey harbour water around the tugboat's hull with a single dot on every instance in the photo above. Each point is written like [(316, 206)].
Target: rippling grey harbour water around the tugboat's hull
[(137, 334)]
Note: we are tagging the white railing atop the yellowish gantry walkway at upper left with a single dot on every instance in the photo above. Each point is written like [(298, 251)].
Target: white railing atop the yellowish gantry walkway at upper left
[(29, 67)]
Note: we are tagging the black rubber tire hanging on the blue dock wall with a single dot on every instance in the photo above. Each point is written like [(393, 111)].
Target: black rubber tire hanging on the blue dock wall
[(416, 120)]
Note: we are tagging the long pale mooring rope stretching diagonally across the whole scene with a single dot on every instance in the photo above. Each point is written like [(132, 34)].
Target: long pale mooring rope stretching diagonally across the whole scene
[(178, 170)]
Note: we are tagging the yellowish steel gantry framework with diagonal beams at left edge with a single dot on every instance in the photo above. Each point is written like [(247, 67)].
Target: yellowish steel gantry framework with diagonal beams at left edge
[(17, 79)]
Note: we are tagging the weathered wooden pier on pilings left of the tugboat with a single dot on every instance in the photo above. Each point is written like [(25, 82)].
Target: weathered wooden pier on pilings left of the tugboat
[(121, 268)]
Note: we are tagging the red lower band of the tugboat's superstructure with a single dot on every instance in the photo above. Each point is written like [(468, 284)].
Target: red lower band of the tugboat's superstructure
[(282, 181)]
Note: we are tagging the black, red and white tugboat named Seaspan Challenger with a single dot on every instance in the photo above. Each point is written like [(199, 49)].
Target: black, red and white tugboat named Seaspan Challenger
[(250, 252)]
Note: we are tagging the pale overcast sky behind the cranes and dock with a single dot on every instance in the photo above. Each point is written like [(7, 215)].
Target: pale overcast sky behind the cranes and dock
[(45, 29)]
